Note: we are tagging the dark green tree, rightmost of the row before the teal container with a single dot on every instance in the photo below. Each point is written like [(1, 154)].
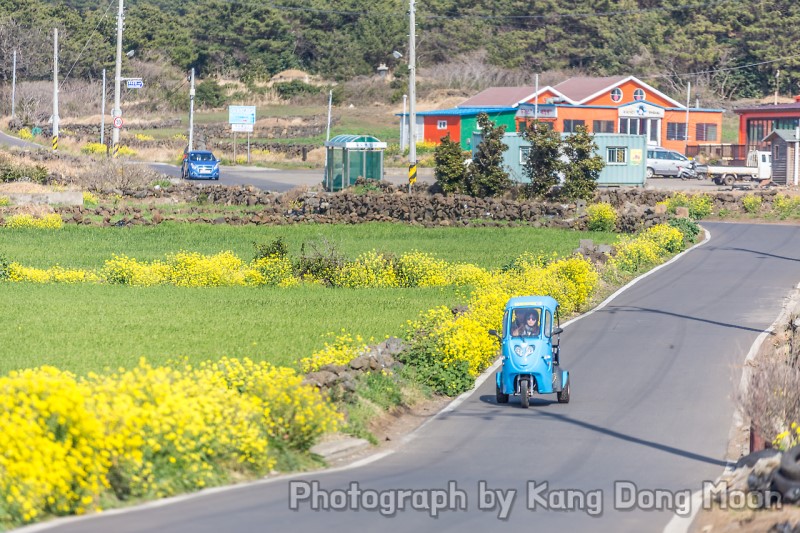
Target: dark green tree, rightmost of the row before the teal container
[(582, 166)]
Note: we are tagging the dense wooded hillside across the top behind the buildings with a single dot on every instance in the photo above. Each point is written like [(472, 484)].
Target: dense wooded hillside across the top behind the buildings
[(726, 49)]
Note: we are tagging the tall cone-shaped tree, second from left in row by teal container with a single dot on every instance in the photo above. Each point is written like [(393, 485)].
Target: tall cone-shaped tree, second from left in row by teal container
[(486, 175)]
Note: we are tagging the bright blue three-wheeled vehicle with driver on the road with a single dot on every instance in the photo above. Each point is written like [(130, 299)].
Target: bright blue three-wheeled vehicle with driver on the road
[(529, 346)]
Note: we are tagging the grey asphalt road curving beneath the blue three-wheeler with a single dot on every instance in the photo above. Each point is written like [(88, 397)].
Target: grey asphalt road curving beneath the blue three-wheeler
[(653, 375)]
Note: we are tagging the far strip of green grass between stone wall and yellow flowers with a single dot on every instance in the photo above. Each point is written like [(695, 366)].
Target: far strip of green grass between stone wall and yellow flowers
[(88, 247)]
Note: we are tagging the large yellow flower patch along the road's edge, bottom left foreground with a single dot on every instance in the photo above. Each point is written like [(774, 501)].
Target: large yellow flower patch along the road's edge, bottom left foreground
[(146, 432)]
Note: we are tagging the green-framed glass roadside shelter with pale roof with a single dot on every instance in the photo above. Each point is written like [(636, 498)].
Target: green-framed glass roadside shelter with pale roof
[(351, 156)]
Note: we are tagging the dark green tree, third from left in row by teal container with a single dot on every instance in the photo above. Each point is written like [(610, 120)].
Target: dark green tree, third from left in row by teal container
[(543, 167)]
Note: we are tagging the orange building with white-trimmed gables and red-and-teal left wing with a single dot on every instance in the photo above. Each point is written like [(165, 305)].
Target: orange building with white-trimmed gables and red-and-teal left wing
[(614, 104)]
